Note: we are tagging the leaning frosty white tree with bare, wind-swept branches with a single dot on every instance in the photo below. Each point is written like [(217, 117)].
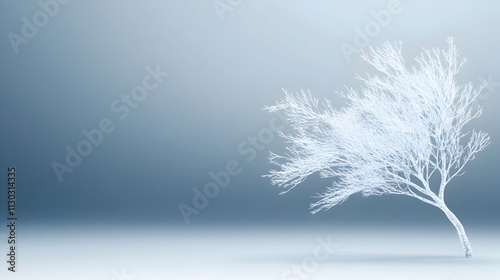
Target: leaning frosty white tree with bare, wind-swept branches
[(398, 131)]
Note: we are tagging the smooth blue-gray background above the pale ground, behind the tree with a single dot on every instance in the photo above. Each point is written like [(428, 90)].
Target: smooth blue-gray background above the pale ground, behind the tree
[(222, 72)]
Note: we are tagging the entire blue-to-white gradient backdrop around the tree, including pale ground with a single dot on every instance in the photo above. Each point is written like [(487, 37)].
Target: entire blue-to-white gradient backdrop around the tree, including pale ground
[(226, 60)]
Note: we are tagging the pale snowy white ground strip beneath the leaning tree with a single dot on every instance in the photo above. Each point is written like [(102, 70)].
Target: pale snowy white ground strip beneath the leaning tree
[(148, 253)]
